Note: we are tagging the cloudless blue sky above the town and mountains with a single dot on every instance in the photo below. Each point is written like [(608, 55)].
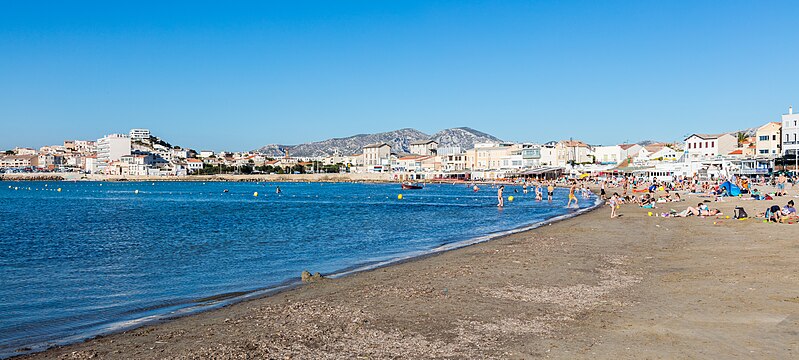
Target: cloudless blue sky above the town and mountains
[(238, 75)]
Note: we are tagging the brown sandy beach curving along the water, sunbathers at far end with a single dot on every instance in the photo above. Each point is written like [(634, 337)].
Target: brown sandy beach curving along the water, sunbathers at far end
[(588, 287)]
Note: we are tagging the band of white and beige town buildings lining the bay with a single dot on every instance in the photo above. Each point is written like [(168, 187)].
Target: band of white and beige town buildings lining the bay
[(758, 151)]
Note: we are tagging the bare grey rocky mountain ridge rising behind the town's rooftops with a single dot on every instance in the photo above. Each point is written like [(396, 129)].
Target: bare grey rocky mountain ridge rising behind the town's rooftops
[(400, 141)]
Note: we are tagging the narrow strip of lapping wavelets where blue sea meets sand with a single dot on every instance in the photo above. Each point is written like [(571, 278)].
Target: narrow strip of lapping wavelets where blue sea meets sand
[(220, 301)]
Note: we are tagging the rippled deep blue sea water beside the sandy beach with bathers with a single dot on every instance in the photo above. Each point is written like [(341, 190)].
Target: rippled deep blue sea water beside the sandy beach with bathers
[(96, 257)]
